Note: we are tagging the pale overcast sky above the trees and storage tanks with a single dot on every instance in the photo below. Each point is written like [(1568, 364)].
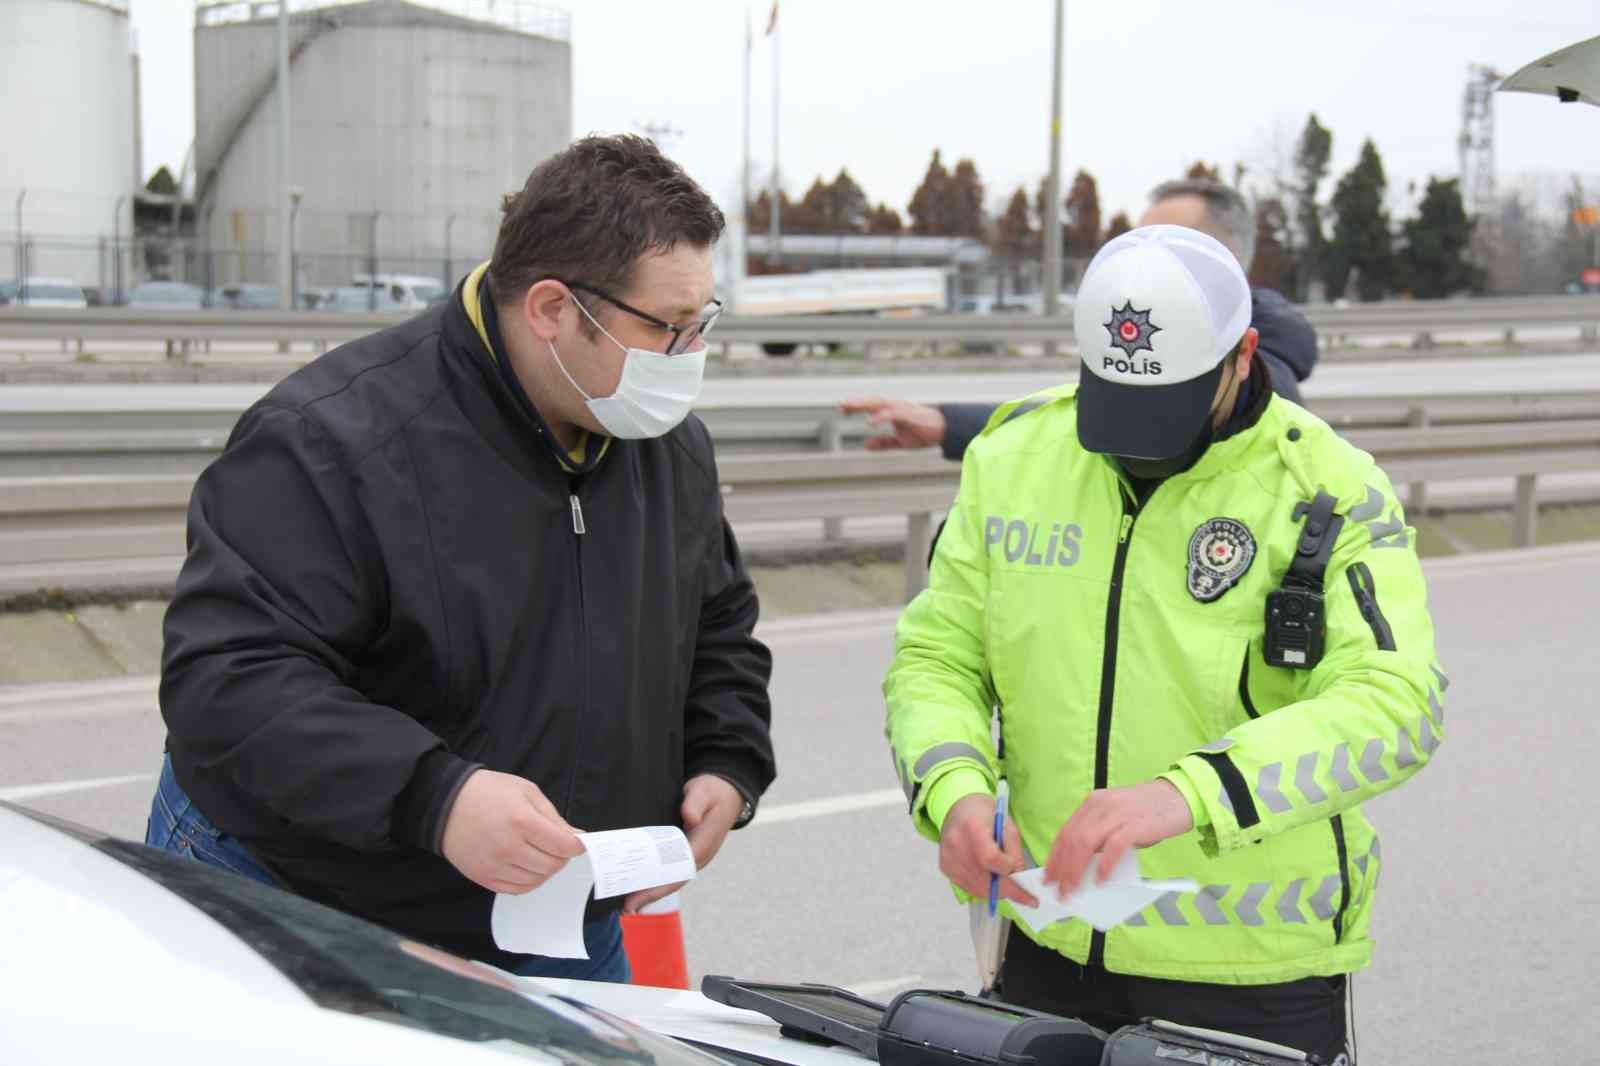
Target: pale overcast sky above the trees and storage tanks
[(1150, 87)]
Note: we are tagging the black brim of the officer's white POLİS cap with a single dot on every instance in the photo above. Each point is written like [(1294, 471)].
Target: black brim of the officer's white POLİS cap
[(1143, 422)]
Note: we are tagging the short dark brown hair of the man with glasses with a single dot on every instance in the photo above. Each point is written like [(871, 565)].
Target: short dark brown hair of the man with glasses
[(593, 210)]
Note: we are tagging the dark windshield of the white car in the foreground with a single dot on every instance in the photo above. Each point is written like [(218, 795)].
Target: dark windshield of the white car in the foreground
[(350, 966)]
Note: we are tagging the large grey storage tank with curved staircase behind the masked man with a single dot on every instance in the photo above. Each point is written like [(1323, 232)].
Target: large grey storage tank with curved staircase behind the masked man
[(410, 121)]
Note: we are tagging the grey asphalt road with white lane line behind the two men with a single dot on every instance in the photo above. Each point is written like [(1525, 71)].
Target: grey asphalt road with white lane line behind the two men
[(1489, 915)]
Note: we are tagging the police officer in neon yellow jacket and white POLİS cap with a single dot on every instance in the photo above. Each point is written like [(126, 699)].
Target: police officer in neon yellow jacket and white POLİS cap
[(1202, 623)]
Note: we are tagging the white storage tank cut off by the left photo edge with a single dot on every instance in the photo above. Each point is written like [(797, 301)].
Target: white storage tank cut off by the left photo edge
[(68, 169)]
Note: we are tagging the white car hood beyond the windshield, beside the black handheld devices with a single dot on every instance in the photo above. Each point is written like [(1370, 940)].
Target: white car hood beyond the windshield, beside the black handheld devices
[(692, 1017)]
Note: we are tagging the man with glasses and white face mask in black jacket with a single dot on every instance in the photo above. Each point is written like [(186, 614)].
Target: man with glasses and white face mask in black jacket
[(463, 588)]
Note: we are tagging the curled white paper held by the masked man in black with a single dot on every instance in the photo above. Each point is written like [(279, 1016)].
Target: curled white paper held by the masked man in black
[(550, 921)]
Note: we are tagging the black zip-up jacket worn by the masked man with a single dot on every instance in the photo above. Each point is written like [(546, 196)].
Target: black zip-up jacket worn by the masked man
[(385, 590)]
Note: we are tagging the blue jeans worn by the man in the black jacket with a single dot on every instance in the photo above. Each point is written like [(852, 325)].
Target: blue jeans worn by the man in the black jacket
[(178, 827)]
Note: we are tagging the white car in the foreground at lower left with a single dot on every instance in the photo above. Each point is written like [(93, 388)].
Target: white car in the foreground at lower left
[(121, 953)]
